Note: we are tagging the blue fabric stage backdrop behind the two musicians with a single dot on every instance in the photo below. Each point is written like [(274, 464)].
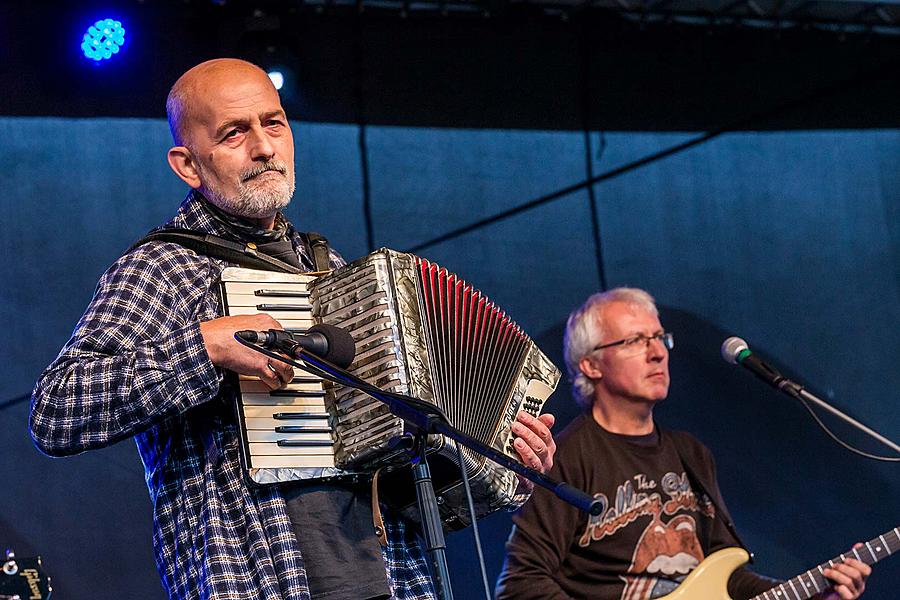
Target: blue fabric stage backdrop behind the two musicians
[(791, 240)]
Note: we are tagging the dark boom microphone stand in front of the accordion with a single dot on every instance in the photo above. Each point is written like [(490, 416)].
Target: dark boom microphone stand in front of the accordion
[(425, 418)]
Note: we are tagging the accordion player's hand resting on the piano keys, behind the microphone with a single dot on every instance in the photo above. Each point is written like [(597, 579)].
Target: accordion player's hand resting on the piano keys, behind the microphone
[(224, 351)]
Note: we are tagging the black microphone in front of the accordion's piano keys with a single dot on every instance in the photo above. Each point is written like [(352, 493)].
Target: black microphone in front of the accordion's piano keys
[(325, 341)]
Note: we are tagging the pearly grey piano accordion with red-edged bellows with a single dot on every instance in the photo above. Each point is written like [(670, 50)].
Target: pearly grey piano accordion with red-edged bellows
[(419, 330)]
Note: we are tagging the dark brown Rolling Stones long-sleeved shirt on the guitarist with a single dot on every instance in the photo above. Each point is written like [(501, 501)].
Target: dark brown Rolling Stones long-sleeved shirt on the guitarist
[(652, 532)]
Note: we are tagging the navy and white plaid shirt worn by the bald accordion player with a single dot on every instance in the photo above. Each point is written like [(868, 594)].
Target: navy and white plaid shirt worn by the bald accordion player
[(136, 366)]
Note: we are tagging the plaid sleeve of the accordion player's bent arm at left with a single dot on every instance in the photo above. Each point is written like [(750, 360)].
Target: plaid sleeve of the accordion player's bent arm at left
[(135, 358)]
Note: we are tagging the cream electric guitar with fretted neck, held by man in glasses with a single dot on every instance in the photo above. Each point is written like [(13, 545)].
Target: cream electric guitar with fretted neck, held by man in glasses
[(709, 581)]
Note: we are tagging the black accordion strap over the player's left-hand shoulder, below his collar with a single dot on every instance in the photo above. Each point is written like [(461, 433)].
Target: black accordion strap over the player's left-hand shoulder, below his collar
[(214, 246)]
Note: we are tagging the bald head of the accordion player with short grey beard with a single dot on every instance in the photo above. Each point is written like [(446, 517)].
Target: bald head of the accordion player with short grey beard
[(233, 142)]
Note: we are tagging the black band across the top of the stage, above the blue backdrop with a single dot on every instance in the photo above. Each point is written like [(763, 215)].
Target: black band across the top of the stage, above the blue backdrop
[(519, 69)]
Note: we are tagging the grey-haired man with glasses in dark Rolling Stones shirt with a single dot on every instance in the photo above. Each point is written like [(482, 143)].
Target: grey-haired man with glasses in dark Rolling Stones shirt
[(662, 509)]
